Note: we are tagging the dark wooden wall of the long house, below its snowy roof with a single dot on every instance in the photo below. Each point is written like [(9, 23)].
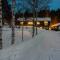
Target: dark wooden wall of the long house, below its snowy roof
[(25, 23)]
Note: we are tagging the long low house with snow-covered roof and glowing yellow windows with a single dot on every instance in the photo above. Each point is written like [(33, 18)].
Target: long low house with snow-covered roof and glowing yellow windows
[(40, 22)]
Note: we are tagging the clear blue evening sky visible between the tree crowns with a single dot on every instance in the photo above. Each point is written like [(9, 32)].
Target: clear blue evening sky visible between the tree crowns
[(55, 4)]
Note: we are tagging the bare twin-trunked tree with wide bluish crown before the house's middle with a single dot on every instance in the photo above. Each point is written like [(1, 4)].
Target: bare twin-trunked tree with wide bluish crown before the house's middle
[(37, 5)]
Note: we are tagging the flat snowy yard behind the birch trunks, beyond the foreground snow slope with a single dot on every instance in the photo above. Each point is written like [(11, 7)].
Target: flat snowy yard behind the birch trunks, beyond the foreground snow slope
[(7, 36)]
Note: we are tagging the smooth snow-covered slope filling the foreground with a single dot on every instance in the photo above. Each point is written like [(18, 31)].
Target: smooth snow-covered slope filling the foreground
[(44, 46)]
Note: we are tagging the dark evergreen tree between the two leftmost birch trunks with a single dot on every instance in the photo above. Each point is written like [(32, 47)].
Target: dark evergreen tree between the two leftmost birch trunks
[(7, 14)]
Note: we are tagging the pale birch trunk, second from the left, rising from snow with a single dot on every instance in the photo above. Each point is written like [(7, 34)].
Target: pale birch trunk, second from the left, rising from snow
[(13, 22)]
